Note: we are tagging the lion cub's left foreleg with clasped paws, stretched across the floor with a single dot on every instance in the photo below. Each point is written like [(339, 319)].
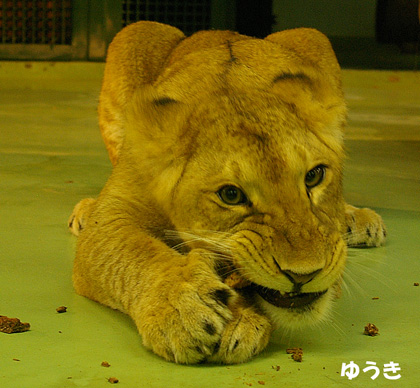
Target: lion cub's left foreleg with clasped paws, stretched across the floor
[(182, 309)]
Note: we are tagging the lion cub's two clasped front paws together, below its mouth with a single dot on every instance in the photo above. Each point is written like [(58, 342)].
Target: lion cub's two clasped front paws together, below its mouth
[(189, 319)]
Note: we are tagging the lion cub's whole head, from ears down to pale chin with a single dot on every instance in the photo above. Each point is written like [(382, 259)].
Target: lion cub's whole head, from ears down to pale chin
[(246, 161)]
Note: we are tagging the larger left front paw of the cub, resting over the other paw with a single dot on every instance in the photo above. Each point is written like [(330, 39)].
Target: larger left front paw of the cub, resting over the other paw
[(189, 328)]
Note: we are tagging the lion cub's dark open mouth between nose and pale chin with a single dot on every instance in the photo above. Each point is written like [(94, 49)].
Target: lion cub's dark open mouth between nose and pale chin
[(288, 300)]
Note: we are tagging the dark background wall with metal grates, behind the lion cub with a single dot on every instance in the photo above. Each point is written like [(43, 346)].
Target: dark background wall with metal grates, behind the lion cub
[(365, 33)]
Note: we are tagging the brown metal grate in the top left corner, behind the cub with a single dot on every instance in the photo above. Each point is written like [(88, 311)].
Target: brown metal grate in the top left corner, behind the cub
[(36, 21)]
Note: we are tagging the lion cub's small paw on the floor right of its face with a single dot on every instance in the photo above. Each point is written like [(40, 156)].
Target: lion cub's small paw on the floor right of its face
[(364, 227)]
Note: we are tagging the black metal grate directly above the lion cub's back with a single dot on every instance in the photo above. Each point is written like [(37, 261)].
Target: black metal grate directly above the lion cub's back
[(188, 15)]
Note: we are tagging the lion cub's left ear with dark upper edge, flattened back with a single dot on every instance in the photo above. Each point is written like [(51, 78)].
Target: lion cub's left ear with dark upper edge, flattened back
[(154, 122)]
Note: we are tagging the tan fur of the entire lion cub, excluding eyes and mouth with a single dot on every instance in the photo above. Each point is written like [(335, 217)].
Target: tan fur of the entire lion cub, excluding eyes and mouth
[(183, 117)]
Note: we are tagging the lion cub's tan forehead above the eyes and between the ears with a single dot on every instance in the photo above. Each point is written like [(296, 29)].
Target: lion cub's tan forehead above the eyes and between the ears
[(254, 136)]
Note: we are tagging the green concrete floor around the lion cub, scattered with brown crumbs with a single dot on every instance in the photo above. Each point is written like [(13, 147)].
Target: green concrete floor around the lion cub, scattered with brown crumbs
[(51, 156)]
